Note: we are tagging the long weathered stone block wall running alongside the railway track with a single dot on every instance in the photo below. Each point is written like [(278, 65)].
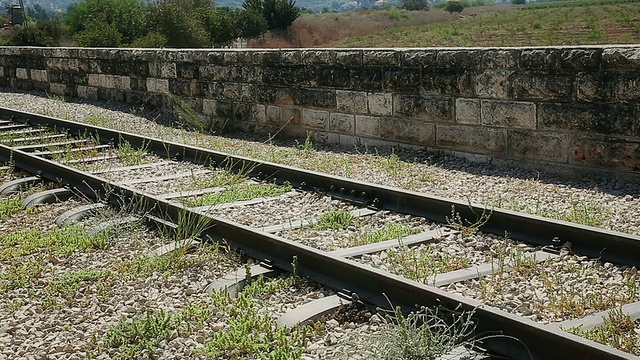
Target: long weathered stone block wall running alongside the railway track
[(575, 106)]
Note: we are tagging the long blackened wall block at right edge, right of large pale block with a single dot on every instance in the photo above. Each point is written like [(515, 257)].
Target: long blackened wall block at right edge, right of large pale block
[(605, 119)]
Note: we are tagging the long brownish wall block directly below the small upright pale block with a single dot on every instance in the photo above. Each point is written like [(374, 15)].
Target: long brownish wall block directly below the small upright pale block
[(472, 138)]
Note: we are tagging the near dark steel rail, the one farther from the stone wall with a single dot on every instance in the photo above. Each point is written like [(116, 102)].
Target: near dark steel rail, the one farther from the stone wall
[(515, 337)]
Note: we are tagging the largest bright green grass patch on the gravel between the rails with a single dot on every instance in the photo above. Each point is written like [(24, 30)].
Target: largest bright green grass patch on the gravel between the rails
[(239, 193)]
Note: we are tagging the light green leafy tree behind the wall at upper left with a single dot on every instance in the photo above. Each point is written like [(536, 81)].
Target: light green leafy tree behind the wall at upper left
[(121, 16)]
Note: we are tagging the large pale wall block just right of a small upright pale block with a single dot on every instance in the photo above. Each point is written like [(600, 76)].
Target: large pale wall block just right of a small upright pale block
[(512, 114)]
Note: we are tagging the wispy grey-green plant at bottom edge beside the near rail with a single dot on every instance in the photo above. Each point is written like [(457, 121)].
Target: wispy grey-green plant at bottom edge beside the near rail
[(425, 334)]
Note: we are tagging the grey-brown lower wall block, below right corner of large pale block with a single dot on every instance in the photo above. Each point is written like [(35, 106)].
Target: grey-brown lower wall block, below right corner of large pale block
[(549, 146)]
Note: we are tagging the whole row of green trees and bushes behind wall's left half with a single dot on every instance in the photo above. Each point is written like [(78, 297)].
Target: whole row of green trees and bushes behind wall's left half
[(156, 23)]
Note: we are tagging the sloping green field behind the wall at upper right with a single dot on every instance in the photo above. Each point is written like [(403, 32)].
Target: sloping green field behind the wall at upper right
[(550, 23)]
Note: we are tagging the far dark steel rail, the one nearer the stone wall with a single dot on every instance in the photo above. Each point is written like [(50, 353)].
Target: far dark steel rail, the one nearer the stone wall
[(590, 241)]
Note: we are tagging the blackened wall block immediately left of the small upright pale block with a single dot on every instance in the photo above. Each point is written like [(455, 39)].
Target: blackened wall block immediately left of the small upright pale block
[(431, 109)]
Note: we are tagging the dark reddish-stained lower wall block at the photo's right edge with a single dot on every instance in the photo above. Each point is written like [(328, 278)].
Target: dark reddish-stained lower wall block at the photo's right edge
[(617, 153)]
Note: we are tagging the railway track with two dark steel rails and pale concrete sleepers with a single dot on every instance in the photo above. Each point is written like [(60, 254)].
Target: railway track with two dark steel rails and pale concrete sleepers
[(45, 147)]
